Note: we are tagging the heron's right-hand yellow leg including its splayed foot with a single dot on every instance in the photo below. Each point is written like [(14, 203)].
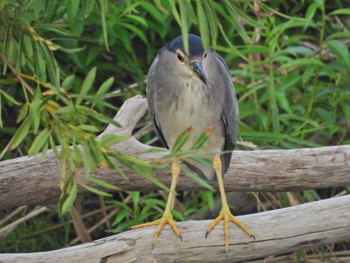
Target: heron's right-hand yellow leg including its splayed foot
[(225, 213)]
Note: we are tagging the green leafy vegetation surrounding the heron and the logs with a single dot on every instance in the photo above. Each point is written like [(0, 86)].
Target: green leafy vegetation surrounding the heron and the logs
[(66, 67)]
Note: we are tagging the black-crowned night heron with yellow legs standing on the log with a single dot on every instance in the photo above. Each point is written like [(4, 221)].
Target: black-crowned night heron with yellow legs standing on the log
[(194, 90)]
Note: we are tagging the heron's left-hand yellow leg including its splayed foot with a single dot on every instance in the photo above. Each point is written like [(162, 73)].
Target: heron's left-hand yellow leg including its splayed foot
[(167, 217)]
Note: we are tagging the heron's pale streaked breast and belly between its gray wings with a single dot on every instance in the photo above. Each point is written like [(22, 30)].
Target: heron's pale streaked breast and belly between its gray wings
[(190, 105)]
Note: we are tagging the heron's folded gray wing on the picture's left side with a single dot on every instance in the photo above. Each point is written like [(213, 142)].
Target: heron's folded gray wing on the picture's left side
[(151, 85)]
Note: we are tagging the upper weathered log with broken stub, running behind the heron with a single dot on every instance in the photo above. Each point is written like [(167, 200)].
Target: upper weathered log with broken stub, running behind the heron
[(28, 180)]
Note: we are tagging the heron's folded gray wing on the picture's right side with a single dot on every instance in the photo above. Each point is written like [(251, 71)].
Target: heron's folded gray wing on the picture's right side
[(230, 113)]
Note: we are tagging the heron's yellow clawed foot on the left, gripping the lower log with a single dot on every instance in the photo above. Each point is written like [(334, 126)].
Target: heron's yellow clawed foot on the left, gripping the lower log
[(167, 218)]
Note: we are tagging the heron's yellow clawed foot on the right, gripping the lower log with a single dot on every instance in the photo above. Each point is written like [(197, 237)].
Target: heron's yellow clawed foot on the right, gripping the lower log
[(226, 215)]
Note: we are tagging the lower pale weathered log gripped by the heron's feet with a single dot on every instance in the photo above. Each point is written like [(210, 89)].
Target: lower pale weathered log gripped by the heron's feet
[(277, 232)]
